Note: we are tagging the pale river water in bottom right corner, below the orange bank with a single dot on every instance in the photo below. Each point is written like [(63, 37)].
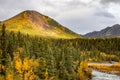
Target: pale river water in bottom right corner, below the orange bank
[(104, 76)]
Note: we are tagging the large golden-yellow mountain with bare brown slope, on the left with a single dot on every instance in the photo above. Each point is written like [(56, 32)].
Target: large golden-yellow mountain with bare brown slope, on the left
[(34, 23)]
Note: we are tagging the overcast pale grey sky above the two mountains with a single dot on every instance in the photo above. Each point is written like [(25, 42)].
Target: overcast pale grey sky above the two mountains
[(80, 16)]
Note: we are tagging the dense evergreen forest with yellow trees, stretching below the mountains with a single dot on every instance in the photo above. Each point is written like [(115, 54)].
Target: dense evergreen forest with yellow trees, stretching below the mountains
[(26, 57)]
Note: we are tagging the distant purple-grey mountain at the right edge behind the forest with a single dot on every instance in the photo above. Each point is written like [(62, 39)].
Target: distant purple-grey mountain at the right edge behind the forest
[(113, 31)]
